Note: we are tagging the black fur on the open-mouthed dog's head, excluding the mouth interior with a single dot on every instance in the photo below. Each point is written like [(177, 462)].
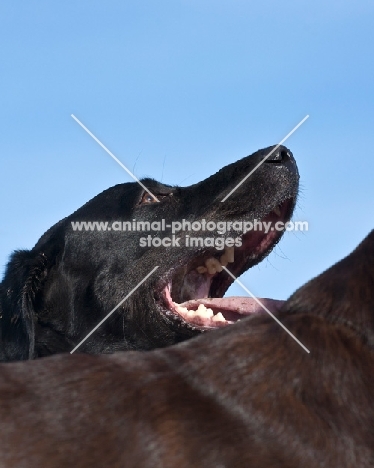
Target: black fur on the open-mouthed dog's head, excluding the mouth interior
[(53, 295)]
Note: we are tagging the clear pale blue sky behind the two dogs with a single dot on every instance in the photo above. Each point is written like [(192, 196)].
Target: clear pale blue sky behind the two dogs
[(178, 89)]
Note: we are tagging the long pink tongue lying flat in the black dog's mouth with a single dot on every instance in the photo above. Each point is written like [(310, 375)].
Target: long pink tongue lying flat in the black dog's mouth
[(237, 305)]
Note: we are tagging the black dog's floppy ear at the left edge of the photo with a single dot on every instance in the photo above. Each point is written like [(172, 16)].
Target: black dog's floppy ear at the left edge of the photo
[(23, 280)]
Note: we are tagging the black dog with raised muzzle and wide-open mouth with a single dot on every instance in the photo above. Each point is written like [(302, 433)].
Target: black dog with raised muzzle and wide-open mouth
[(53, 295)]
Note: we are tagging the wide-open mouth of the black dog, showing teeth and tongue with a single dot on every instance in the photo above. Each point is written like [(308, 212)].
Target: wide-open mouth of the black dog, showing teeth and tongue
[(193, 293)]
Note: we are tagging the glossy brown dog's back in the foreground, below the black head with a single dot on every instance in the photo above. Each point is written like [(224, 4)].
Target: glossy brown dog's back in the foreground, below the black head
[(244, 396)]
